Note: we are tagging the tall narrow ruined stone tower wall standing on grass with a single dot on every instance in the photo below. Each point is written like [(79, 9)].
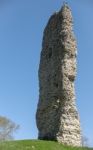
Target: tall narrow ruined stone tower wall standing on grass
[(57, 117)]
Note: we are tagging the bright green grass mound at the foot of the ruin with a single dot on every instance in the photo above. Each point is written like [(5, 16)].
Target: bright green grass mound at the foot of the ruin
[(36, 145)]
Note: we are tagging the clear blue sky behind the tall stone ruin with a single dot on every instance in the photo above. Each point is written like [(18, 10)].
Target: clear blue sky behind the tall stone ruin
[(21, 28)]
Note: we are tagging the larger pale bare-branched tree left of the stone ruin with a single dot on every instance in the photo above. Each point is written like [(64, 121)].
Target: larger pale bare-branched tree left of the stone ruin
[(7, 128)]
